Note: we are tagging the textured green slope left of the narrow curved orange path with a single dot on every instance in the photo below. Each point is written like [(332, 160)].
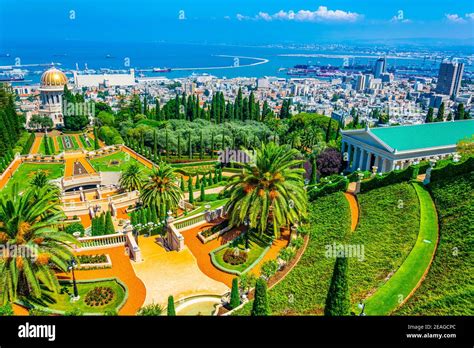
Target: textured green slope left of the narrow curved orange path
[(303, 291)]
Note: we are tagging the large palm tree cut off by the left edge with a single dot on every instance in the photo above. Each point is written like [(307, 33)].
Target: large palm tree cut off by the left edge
[(28, 225)]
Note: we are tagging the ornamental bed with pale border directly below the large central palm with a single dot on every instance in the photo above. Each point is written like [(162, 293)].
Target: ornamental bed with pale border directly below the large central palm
[(233, 257)]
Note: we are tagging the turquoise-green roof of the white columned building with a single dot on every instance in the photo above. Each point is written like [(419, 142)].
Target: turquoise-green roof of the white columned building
[(404, 138)]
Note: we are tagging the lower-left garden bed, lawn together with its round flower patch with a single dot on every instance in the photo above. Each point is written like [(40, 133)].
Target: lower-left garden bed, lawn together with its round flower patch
[(97, 297)]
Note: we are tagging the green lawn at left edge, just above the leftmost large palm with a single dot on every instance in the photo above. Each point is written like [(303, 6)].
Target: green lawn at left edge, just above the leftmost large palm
[(26, 172)]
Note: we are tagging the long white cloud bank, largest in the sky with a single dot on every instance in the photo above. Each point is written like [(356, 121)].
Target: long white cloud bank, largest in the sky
[(322, 14)]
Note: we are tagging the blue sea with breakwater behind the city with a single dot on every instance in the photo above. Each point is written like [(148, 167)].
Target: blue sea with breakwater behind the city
[(149, 55)]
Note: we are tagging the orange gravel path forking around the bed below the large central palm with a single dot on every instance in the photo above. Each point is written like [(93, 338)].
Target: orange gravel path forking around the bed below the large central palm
[(201, 252)]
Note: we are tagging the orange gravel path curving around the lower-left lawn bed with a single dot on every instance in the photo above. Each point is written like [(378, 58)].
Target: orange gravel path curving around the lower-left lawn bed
[(121, 269)]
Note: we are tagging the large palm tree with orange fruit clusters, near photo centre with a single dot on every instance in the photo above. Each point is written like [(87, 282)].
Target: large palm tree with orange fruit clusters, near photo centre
[(269, 190)]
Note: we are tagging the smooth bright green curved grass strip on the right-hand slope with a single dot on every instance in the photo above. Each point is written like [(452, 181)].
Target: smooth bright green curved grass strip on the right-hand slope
[(399, 286)]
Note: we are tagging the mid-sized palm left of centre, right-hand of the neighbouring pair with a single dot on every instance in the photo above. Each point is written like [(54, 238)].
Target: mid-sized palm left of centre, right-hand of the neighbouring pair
[(162, 191)]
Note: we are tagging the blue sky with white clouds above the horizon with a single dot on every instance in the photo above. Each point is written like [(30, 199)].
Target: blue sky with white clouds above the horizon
[(236, 22)]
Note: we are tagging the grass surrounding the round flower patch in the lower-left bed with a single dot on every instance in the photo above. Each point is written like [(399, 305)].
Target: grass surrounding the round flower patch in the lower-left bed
[(62, 303)]
